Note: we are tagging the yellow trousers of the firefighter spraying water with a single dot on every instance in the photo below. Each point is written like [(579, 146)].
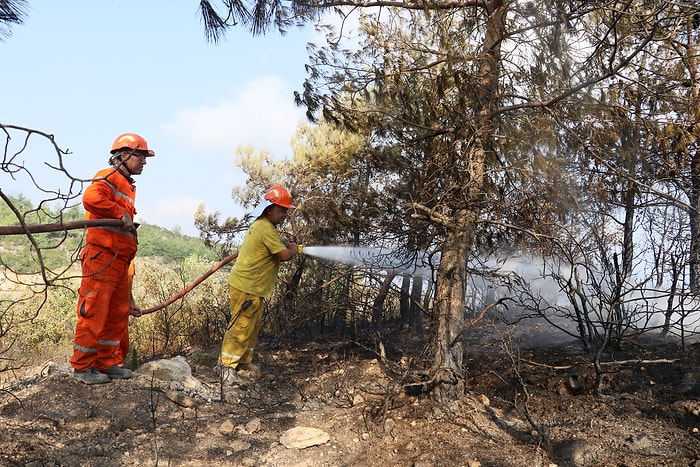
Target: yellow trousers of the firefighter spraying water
[(242, 332)]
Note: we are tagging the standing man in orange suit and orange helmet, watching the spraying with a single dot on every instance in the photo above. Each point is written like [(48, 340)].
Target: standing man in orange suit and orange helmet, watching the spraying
[(105, 298)]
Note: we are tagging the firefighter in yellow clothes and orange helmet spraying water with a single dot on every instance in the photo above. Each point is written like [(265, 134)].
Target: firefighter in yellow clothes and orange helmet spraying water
[(252, 279)]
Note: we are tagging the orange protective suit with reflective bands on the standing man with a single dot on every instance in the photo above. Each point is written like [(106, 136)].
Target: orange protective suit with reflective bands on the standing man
[(105, 289)]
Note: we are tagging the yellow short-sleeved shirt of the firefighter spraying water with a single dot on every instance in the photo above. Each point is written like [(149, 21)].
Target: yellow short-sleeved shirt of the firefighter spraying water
[(257, 265)]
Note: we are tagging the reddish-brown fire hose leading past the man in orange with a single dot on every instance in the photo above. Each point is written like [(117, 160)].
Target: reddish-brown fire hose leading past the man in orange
[(81, 224)]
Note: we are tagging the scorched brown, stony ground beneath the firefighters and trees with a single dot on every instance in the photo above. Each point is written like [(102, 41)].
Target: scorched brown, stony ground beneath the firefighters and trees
[(526, 405)]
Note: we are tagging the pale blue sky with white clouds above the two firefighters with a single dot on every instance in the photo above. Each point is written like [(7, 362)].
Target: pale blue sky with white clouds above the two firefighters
[(89, 70)]
